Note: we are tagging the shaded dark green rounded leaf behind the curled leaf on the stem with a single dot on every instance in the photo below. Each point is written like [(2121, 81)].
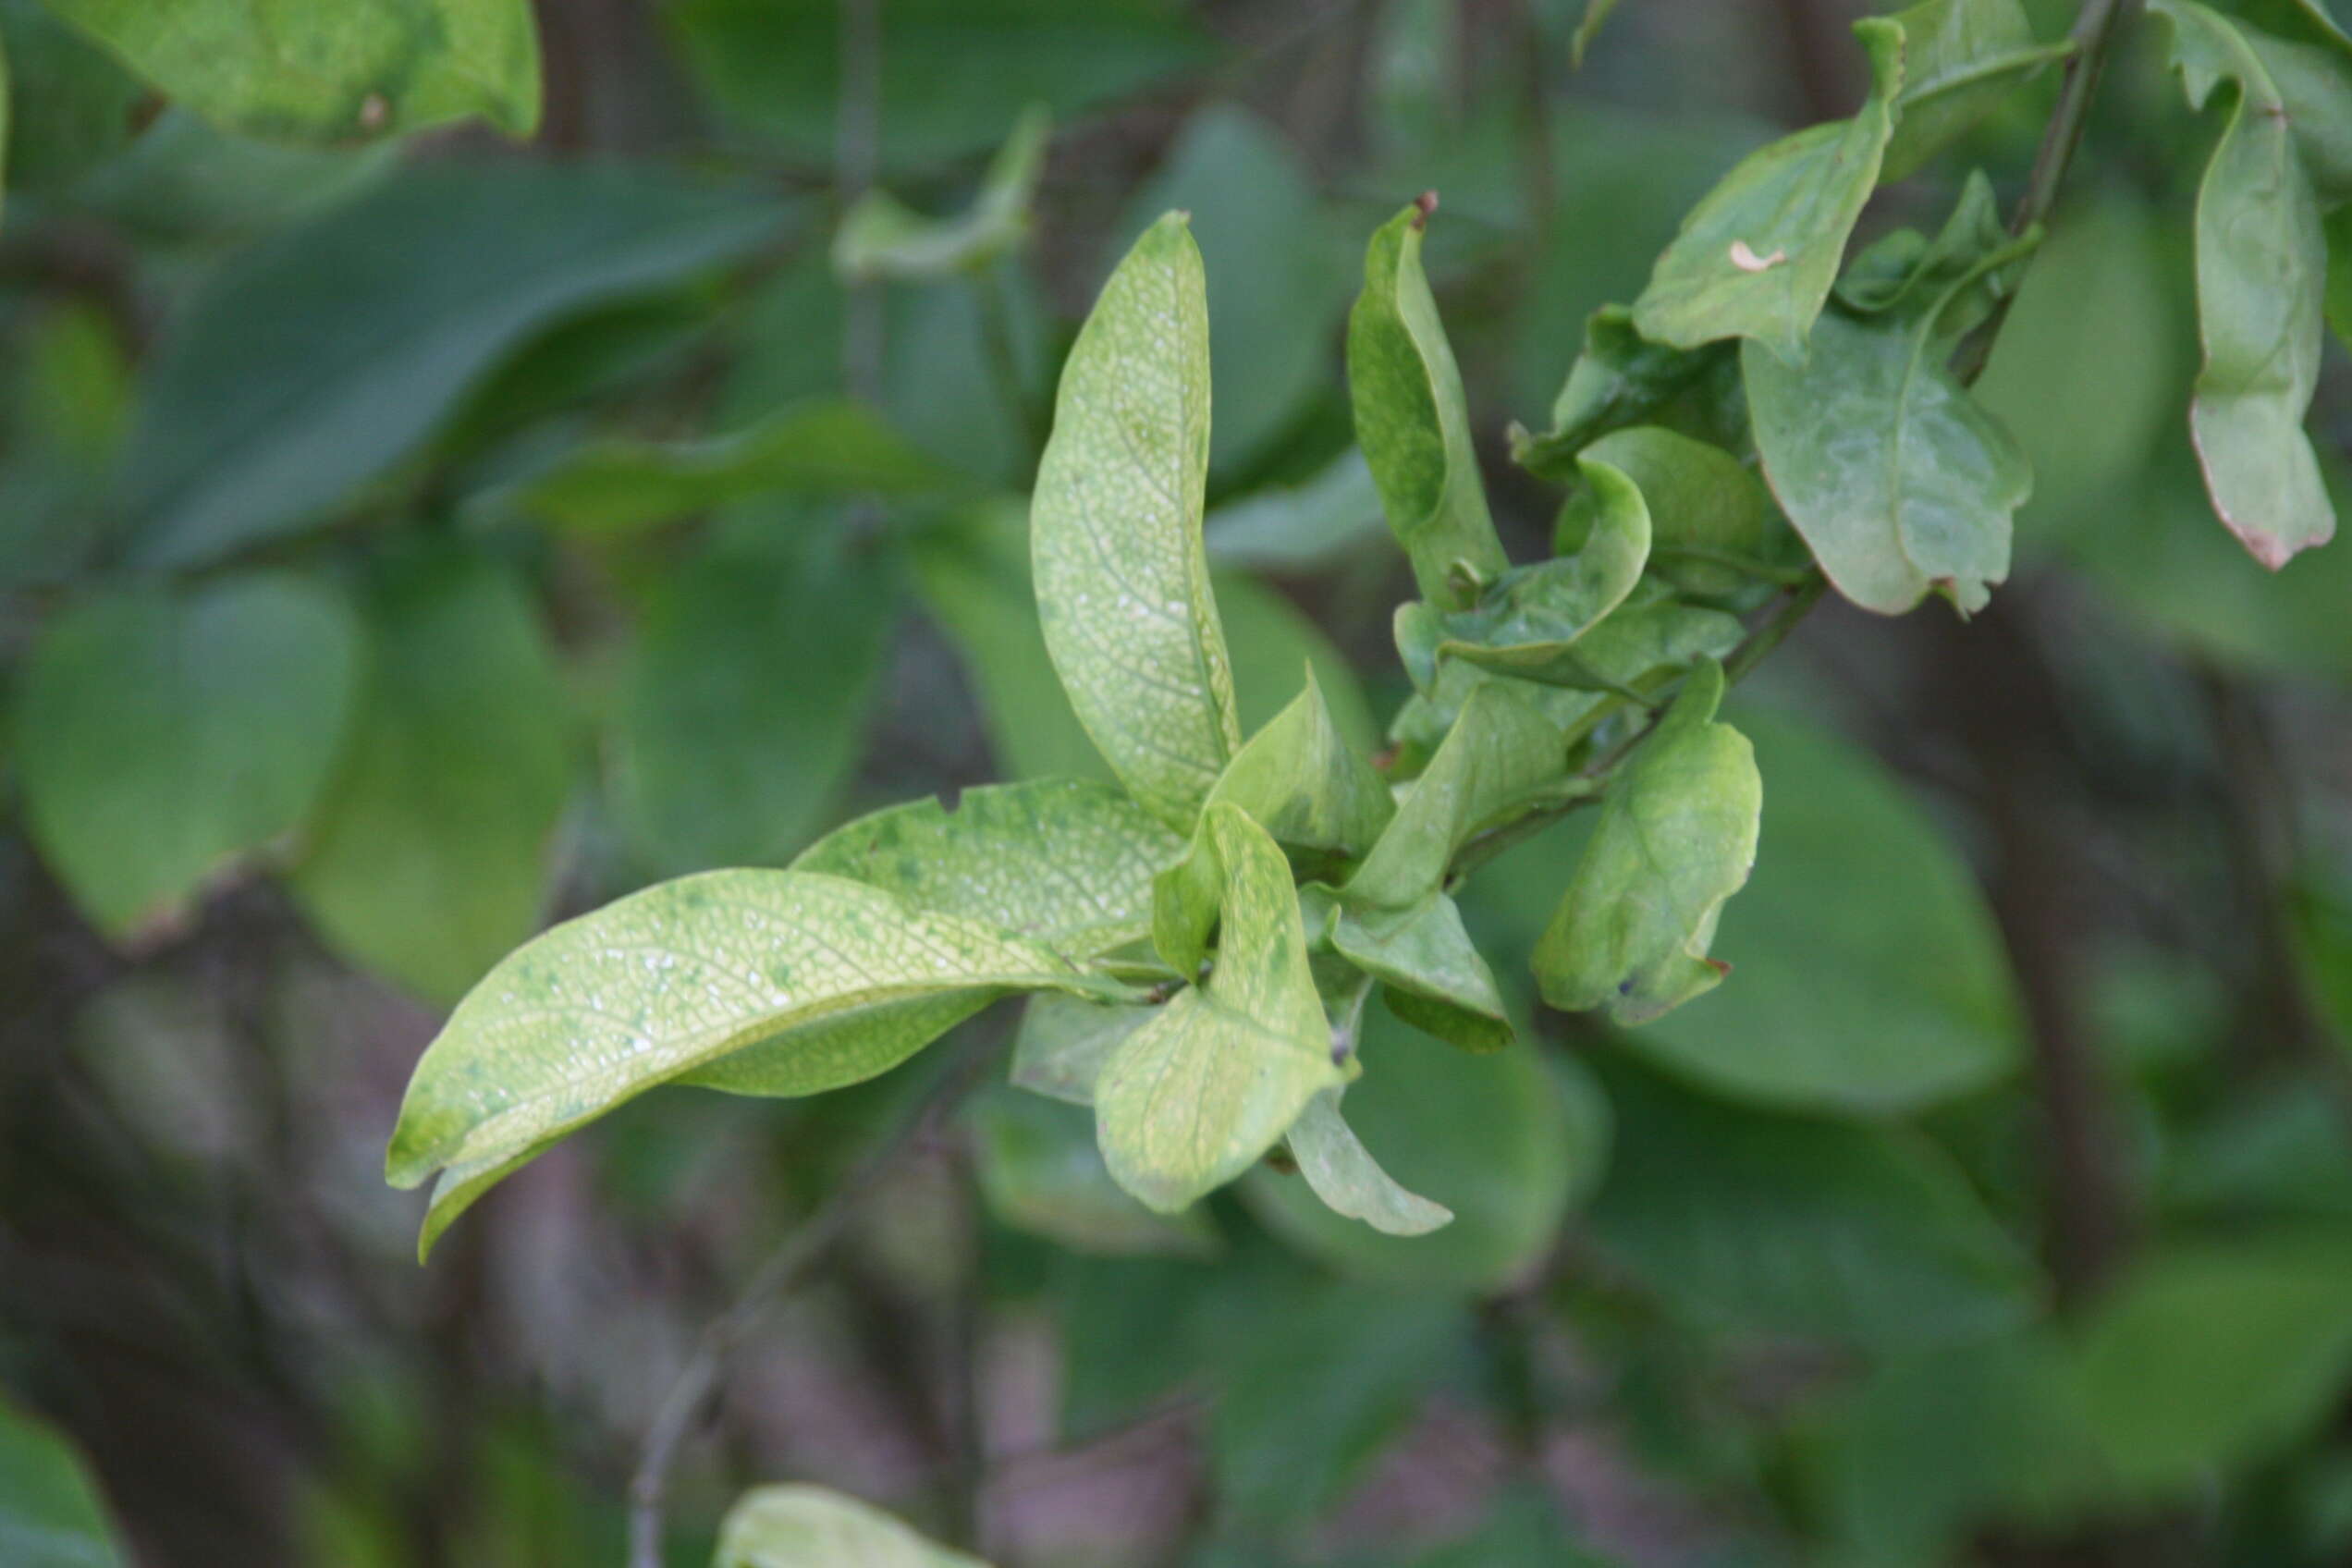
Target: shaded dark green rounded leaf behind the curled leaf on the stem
[(1711, 521)]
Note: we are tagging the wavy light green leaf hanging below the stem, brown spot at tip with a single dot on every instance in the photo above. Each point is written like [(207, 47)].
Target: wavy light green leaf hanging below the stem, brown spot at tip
[(1676, 840)]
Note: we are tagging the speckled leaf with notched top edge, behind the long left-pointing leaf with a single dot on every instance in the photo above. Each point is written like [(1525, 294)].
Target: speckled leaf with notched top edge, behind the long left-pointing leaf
[(1064, 862)]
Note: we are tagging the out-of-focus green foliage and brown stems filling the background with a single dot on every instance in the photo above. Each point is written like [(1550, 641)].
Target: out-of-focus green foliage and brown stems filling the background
[(406, 544)]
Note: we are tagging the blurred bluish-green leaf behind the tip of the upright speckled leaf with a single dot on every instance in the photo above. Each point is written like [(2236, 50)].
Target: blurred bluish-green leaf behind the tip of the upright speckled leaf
[(1274, 279)]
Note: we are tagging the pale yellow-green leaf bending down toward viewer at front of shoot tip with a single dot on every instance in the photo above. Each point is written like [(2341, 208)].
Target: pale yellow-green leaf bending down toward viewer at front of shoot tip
[(1201, 1092)]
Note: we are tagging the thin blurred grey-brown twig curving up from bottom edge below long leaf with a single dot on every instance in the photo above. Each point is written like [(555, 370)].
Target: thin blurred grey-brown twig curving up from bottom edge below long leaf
[(770, 1282)]
